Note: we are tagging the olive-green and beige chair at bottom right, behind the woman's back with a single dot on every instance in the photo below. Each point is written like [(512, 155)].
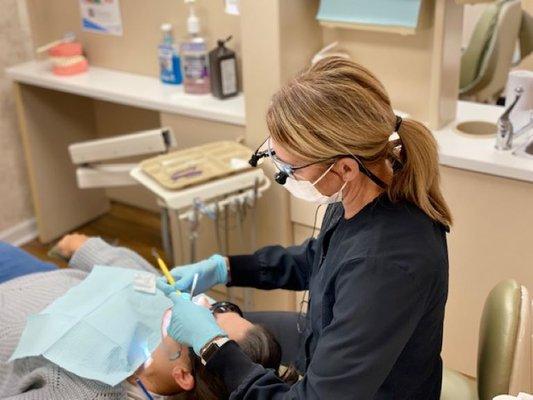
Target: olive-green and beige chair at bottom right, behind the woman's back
[(504, 351)]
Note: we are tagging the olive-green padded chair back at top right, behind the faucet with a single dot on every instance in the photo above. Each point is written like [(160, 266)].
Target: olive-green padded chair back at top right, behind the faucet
[(487, 60)]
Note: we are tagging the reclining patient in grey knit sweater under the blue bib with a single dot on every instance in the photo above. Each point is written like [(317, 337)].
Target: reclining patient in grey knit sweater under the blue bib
[(172, 369)]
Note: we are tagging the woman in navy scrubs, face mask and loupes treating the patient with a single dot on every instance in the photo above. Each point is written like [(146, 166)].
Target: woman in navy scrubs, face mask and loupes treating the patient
[(377, 274)]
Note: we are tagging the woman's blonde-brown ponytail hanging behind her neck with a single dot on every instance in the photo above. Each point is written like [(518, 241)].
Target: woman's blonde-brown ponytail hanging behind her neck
[(418, 179)]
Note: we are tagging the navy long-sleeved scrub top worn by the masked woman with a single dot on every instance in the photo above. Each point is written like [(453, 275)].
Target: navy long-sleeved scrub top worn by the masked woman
[(378, 284)]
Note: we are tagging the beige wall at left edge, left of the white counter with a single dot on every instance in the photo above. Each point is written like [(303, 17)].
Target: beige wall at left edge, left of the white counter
[(15, 47)]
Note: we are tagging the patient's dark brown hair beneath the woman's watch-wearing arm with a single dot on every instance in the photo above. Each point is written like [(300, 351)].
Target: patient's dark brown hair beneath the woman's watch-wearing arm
[(259, 344)]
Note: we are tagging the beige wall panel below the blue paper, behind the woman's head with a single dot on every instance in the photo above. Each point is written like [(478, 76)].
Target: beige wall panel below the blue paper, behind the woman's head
[(420, 71)]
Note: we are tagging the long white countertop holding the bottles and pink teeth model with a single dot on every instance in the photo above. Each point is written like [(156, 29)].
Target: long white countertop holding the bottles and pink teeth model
[(133, 90)]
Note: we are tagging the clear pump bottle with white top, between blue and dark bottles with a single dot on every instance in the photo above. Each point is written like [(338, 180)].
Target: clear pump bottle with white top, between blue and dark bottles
[(194, 57)]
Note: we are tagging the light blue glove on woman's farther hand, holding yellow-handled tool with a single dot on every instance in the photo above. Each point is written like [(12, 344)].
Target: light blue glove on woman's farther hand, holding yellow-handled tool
[(211, 272)]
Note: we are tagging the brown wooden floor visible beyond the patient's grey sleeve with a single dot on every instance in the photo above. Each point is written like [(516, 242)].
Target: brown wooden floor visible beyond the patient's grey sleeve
[(124, 225)]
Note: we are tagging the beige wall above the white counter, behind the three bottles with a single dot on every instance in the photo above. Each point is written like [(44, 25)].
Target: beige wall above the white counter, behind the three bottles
[(136, 50)]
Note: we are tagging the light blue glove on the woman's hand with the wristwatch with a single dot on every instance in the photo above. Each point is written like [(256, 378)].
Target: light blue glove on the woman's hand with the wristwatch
[(192, 324)]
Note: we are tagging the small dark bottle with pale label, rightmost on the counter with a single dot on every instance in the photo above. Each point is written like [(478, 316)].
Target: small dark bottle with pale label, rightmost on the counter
[(223, 71)]
